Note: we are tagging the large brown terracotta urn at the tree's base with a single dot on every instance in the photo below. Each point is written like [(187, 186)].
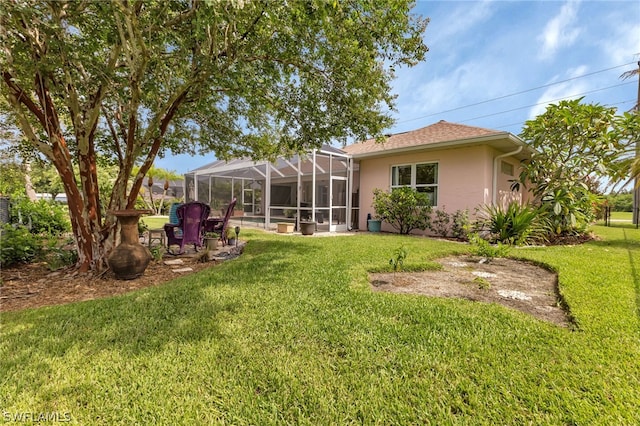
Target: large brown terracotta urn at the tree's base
[(130, 259)]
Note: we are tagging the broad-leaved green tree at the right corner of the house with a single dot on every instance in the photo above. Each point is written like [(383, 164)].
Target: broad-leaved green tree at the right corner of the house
[(576, 147)]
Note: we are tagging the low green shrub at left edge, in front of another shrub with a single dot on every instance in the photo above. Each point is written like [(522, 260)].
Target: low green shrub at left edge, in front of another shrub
[(18, 245)]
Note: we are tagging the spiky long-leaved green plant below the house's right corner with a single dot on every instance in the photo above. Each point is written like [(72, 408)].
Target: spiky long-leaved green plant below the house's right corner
[(516, 225)]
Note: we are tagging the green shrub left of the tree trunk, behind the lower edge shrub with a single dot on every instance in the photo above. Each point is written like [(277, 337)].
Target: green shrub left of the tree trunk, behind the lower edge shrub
[(40, 216)]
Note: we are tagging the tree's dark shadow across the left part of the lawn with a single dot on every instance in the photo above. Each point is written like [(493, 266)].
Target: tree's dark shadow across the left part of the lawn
[(189, 309)]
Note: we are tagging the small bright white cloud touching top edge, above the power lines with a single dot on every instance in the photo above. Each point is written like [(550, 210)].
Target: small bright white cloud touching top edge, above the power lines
[(560, 31)]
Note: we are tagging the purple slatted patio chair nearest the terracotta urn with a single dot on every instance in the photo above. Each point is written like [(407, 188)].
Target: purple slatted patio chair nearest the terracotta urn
[(191, 220)]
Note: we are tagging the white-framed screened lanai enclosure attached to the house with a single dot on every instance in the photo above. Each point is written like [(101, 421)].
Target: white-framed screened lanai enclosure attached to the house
[(317, 187)]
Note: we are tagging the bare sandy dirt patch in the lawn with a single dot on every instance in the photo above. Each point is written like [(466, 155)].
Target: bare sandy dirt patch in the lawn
[(512, 283)]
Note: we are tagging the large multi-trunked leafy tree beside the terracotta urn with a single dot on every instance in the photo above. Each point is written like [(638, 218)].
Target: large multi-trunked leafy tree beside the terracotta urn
[(134, 80)]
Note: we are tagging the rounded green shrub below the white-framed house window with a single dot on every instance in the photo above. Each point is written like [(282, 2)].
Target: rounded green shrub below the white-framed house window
[(403, 208)]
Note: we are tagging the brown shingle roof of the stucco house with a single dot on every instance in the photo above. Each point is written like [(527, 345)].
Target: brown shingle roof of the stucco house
[(440, 132)]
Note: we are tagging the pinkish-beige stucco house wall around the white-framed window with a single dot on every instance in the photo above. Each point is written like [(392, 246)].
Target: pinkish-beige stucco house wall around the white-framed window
[(465, 178)]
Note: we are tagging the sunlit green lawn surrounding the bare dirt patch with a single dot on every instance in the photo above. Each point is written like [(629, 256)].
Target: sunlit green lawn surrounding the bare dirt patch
[(290, 333)]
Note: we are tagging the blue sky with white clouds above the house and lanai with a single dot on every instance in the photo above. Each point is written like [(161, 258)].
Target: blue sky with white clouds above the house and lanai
[(496, 64)]
